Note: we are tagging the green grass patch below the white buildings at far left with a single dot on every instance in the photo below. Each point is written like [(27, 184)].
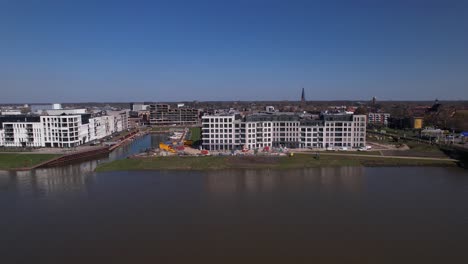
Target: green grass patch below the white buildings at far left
[(19, 160)]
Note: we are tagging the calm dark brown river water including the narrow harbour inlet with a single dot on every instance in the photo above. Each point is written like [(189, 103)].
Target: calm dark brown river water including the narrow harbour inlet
[(320, 215)]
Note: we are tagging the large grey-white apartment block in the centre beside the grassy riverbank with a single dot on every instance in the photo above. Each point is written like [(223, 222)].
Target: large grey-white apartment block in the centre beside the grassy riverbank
[(232, 131)]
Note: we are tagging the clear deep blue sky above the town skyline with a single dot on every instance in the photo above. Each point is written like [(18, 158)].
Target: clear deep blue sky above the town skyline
[(80, 50)]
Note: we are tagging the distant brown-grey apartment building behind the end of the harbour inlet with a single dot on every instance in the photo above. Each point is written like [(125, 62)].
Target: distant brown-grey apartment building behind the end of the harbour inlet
[(163, 114)]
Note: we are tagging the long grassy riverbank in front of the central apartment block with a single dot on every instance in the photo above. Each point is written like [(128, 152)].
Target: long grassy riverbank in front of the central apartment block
[(263, 162)]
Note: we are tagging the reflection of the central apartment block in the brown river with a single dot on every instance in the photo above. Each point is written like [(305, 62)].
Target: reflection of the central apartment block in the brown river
[(231, 182)]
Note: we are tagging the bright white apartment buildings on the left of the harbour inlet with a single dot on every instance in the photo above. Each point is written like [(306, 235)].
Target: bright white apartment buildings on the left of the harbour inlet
[(58, 130)]
